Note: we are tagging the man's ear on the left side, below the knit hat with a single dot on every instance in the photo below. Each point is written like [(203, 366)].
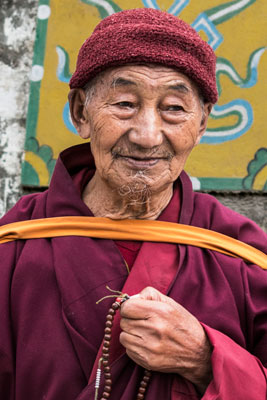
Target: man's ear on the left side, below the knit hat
[(79, 113)]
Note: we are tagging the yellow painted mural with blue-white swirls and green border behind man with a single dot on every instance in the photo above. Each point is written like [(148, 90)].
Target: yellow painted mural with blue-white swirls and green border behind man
[(232, 154)]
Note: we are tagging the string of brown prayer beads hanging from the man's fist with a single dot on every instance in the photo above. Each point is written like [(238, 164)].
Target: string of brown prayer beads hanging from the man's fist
[(105, 354)]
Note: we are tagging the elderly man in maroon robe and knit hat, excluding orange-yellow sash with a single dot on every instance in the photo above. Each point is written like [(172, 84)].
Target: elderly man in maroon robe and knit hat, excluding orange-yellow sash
[(197, 326)]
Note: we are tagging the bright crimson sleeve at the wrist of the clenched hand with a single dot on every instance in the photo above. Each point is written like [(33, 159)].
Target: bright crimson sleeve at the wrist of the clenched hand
[(237, 374)]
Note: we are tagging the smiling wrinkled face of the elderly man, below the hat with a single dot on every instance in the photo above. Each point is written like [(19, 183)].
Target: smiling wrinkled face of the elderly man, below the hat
[(143, 122)]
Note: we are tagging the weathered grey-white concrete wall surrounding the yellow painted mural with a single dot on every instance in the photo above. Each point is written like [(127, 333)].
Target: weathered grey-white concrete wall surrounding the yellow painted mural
[(17, 34)]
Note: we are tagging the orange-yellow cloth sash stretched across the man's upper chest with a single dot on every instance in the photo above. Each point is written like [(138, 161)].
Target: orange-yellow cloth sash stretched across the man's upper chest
[(143, 230)]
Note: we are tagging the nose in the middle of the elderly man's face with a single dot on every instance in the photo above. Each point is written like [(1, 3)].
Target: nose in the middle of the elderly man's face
[(147, 130)]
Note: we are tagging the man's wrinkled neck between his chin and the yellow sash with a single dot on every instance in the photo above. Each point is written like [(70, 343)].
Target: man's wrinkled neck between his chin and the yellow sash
[(111, 203)]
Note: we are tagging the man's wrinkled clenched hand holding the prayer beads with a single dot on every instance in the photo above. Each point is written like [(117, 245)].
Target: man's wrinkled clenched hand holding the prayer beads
[(160, 335)]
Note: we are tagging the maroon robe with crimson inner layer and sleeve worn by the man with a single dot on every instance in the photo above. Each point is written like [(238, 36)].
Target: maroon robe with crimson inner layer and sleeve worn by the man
[(51, 328)]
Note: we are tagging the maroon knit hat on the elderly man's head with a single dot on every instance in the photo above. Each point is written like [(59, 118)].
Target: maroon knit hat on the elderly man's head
[(145, 35)]
